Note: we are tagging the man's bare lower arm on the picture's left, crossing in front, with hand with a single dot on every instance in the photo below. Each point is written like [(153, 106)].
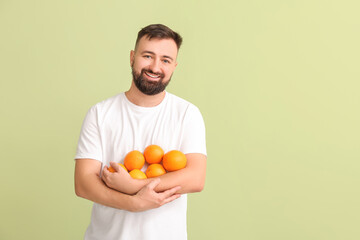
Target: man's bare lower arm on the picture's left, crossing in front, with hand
[(88, 185)]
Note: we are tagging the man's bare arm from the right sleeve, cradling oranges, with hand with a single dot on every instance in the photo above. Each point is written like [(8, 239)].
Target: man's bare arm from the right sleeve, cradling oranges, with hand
[(190, 179)]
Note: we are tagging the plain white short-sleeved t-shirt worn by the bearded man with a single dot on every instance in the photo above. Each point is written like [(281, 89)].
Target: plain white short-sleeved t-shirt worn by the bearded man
[(114, 127)]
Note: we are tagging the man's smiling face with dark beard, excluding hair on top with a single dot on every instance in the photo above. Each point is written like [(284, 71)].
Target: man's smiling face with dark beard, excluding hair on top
[(153, 63)]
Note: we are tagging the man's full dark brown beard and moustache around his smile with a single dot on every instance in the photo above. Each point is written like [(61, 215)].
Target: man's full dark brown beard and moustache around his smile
[(149, 87)]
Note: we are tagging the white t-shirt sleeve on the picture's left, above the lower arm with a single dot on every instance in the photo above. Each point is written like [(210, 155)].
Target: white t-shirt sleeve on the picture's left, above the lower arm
[(89, 145)]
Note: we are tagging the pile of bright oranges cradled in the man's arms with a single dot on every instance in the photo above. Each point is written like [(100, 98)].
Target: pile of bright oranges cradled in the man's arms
[(159, 163)]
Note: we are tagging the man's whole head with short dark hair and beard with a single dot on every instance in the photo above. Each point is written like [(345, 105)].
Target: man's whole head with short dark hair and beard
[(154, 59)]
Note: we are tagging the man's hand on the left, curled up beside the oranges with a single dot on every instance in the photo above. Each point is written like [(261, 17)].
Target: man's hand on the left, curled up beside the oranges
[(120, 180)]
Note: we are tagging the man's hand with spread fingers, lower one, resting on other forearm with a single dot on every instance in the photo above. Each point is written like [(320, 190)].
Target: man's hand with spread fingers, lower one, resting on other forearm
[(147, 198)]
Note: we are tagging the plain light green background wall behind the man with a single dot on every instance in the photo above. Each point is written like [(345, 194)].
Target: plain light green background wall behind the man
[(277, 83)]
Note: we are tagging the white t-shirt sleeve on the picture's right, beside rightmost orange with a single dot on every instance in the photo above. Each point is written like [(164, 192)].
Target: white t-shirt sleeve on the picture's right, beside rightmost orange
[(193, 140)]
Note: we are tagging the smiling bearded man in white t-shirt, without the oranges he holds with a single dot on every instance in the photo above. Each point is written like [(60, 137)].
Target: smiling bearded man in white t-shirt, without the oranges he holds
[(127, 208)]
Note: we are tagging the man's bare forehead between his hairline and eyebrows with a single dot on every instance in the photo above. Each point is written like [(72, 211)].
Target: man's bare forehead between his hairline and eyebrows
[(158, 46)]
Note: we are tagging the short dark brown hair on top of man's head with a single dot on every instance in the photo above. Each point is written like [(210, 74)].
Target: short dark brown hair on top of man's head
[(161, 32)]
